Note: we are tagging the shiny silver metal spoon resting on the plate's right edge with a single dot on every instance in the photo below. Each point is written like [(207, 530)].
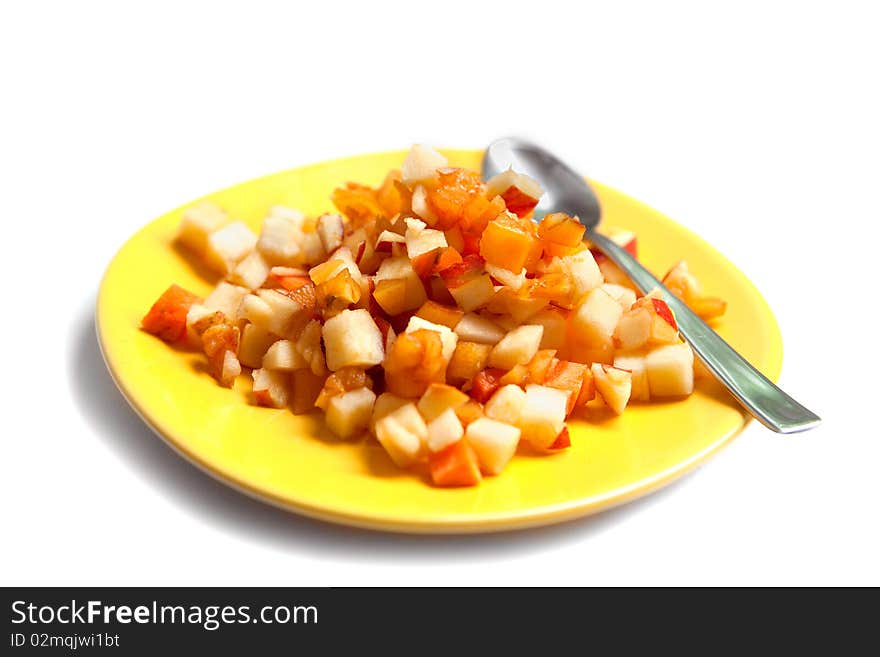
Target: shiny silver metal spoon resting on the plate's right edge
[(566, 191)]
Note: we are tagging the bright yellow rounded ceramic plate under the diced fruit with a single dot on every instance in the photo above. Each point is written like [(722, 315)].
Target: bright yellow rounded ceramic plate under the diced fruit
[(294, 463)]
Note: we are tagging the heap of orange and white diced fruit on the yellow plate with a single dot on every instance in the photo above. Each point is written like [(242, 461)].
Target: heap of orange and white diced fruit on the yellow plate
[(432, 313)]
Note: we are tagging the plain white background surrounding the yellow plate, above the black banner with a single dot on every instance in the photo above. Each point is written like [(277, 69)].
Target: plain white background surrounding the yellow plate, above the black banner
[(754, 125)]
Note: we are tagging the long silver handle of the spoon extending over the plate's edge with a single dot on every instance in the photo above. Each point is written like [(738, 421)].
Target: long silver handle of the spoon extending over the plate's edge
[(759, 395)]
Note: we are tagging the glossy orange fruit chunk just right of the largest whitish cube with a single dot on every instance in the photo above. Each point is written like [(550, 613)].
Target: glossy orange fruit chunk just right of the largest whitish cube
[(414, 362)]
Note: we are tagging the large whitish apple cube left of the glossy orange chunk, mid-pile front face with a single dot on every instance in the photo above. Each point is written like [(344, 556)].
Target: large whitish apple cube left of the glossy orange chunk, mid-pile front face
[(352, 338)]
